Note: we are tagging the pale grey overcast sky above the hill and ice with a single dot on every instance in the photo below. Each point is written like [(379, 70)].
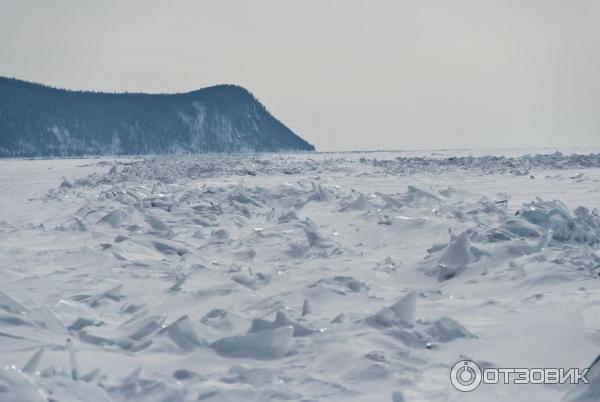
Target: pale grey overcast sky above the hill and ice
[(346, 74)]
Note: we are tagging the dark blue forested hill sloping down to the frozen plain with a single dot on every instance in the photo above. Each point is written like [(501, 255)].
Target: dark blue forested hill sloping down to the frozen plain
[(36, 120)]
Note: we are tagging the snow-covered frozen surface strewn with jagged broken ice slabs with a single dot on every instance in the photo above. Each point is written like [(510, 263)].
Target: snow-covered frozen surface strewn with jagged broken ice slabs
[(315, 277)]
